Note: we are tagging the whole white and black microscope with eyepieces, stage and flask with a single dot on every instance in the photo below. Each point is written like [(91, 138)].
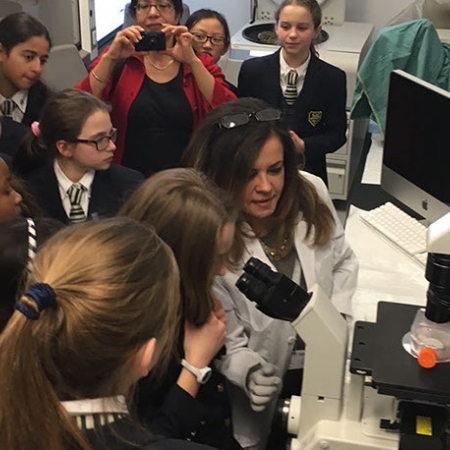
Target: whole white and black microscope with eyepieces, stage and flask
[(381, 398)]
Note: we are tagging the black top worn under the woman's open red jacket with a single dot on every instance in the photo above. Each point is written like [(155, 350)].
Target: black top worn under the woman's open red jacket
[(159, 126)]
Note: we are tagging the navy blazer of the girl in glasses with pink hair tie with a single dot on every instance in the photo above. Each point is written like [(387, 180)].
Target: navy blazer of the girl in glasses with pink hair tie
[(109, 191)]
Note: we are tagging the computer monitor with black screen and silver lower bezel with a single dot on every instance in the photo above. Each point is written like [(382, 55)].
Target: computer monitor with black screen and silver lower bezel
[(416, 158)]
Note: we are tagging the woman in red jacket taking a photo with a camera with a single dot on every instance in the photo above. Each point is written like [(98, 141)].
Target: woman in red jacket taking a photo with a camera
[(157, 97)]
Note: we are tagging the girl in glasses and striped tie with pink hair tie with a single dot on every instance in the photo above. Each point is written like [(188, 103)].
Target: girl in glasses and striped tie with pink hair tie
[(66, 160)]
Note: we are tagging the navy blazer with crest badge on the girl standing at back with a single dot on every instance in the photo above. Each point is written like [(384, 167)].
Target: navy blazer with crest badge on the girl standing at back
[(319, 113)]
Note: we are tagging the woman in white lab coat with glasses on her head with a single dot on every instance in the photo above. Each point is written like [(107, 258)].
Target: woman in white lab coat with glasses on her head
[(291, 225)]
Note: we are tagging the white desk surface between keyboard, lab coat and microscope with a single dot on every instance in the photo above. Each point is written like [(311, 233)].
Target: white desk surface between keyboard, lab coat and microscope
[(385, 272)]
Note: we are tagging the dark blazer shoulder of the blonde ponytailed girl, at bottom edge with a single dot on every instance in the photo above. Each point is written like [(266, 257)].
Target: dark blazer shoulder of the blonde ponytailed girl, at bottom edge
[(124, 435)]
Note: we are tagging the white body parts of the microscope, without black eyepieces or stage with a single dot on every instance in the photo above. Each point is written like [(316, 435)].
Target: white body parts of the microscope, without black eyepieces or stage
[(336, 411)]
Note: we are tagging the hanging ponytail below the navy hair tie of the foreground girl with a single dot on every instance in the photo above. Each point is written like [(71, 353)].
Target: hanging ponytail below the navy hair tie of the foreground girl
[(27, 396)]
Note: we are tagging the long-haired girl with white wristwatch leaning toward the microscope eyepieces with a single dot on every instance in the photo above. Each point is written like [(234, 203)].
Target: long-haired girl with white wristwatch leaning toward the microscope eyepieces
[(192, 402)]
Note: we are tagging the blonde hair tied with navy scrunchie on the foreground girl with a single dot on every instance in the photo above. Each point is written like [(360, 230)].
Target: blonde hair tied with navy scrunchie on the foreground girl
[(116, 287)]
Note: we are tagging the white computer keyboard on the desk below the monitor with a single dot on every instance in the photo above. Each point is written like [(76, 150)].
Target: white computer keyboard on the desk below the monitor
[(402, 230)]
